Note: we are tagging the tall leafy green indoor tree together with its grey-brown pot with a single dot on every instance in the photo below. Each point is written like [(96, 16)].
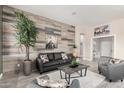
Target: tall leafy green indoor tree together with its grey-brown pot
[(26, 35)]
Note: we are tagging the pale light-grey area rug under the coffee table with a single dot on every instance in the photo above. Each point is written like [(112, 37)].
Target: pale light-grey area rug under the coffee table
[(91, 80)]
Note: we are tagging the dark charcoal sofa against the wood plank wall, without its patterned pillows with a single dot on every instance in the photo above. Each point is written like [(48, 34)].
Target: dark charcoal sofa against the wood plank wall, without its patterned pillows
[(55, 60)]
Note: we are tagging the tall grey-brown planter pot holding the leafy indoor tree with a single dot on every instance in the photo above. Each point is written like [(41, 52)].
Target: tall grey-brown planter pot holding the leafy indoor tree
[(27, 67)]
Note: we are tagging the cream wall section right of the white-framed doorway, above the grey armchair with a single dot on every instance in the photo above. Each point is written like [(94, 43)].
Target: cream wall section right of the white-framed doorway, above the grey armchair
[(117, 28)]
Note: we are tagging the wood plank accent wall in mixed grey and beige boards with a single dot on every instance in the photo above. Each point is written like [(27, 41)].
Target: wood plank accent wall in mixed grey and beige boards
[(12, 55)]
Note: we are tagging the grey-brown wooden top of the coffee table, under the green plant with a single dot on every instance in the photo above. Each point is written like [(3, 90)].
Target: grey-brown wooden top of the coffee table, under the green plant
[(68, 70)]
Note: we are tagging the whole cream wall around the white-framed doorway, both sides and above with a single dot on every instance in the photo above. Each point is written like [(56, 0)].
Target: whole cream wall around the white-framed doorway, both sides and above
[(117, 29)]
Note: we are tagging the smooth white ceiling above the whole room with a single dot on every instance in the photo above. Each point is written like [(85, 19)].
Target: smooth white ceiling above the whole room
[(89, 15)]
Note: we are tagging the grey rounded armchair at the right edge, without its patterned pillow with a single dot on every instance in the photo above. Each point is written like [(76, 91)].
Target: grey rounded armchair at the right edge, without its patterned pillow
[(111, 71)]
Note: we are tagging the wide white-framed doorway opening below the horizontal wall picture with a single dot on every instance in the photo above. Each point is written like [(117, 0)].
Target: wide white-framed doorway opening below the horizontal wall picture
[(103, 46)]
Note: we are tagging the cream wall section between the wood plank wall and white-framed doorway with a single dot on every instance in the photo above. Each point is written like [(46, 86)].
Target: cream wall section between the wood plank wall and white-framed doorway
[(87, 40)]
